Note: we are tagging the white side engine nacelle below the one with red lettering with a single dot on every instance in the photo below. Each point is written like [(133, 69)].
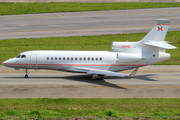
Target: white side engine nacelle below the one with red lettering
[(128, 57)]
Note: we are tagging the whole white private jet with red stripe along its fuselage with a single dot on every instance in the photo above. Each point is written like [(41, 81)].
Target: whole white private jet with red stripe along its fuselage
[(124, 55)]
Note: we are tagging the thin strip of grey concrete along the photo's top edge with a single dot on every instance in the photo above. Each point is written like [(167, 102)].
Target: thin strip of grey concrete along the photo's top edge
[(108, 1)]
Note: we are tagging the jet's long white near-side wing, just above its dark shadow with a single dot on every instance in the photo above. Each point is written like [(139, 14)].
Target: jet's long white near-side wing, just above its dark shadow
[(96, 71)]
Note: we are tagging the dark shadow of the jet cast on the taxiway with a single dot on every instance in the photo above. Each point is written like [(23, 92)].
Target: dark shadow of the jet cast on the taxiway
[(87, 79)]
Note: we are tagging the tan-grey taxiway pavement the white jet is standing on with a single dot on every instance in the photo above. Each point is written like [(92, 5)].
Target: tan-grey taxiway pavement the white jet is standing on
[(150, 82)]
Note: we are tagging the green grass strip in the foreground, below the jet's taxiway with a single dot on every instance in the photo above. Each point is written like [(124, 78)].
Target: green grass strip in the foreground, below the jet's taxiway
[(48, 107)]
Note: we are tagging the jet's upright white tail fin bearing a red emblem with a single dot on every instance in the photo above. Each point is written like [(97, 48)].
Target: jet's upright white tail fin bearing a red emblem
[(158, 33)]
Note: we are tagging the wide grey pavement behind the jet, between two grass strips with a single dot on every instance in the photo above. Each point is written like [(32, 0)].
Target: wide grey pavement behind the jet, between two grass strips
[(85, 23)]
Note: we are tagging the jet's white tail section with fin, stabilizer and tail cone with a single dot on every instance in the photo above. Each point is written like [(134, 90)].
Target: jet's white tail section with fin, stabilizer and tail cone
[(154, 47)]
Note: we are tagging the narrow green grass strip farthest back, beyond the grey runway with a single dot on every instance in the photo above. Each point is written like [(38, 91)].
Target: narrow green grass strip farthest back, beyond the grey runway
[(31, 8)]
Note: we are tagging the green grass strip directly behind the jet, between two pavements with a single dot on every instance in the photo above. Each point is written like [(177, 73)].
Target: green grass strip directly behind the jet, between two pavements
[(11, 48)]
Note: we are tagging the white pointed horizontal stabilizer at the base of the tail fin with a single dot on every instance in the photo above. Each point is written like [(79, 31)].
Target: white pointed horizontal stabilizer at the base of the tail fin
[(161, 44)]
